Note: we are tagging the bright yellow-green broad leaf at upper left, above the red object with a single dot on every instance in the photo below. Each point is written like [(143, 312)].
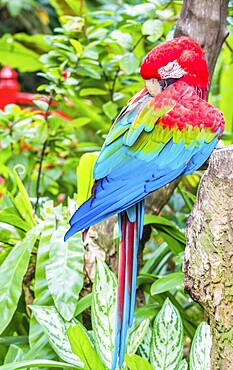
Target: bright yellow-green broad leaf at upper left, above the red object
[(18, 56)]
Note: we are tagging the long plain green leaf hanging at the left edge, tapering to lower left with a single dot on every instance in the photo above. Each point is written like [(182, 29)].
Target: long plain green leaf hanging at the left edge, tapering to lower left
[(12, 272)]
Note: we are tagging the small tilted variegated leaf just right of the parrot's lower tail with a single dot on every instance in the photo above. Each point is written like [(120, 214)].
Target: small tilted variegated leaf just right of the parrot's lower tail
[(136, 336)]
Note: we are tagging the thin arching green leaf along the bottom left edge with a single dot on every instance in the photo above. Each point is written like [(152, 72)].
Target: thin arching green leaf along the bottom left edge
[(37, 363)]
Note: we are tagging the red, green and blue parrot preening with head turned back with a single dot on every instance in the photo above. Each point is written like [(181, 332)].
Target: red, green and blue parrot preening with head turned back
[(166, 130)]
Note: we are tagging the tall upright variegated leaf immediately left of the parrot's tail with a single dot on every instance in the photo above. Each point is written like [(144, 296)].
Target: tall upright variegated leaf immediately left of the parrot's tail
[(103, 313)]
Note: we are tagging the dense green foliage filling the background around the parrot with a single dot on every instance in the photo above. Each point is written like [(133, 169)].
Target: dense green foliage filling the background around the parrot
[(87, 56)]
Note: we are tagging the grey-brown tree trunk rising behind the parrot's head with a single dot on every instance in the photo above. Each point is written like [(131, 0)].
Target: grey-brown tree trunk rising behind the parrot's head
[(205, 21)]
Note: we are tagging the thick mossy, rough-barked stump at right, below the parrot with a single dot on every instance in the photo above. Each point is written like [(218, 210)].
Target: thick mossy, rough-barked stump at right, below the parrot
[(208, 264)]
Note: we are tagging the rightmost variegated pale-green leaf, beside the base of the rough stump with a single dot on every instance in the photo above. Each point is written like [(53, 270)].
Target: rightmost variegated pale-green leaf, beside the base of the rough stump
[(200, 349)]
